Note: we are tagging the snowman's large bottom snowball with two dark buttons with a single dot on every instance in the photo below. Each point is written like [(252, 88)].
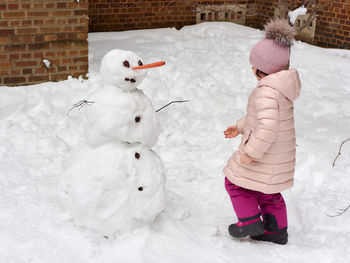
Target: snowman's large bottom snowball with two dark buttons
[(114, 187)]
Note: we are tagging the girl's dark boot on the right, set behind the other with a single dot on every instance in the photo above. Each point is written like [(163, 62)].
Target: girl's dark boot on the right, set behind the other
[(272, 233)]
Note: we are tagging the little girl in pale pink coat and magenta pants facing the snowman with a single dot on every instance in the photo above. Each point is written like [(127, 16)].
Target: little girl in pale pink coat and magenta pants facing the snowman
[(264, 164)]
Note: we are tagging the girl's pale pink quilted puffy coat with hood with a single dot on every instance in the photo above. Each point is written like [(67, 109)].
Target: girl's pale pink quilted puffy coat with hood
[(268, 136)]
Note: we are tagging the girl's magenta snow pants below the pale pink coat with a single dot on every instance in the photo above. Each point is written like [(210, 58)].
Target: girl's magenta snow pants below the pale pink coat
[(249, 204)]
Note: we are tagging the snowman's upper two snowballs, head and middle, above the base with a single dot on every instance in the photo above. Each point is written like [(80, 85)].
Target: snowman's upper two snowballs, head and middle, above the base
[(121, 111)]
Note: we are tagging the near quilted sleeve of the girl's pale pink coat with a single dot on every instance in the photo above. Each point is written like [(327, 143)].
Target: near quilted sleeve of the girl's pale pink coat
[(266, 110)]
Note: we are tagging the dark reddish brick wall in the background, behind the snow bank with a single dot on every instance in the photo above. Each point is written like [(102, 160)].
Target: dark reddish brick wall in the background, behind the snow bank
[(332, 28)]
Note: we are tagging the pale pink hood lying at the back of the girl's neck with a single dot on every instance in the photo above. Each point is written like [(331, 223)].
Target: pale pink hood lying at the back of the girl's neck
[(286, 81)]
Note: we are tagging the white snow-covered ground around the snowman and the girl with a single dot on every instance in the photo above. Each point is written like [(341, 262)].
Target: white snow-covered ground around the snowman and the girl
[(208, 65)]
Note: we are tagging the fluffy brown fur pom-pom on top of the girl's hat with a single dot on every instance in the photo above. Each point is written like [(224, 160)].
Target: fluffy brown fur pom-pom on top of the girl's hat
[(280, 31)]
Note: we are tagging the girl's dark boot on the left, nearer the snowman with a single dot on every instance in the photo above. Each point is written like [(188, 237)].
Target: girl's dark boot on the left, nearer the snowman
[(250, 228)]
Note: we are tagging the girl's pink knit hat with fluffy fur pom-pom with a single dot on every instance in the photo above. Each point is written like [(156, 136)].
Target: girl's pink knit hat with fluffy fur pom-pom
[(271, 54)]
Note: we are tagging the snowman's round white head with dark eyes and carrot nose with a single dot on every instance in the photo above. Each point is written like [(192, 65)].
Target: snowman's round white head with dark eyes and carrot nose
[(123, 69)]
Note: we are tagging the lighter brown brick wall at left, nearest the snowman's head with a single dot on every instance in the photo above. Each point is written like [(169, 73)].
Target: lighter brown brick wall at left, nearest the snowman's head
[(31, 30)]
